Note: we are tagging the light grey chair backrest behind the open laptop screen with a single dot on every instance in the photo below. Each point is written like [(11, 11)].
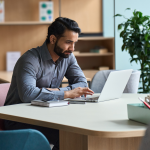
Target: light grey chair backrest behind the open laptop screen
[(100, 78)]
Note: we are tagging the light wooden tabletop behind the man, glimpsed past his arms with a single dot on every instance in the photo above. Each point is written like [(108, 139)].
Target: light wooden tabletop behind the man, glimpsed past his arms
[(6, 77)]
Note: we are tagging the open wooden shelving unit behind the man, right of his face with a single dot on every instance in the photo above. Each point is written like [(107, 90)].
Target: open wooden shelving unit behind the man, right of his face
[(90, 62)]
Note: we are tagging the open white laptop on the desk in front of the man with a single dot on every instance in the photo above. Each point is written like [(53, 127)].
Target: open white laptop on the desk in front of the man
[(113, 88)]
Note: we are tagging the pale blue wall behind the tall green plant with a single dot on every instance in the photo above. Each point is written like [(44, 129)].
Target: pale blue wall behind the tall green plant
[(122, 58)]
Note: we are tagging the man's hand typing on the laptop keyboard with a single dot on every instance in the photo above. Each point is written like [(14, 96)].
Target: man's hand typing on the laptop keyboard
[(77, 92)]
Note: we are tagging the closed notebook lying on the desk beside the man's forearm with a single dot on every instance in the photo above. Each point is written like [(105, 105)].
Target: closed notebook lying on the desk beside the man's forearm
[(45, 103)]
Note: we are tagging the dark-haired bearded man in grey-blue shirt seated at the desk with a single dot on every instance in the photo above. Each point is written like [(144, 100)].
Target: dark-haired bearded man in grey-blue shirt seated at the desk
[(39, 72)]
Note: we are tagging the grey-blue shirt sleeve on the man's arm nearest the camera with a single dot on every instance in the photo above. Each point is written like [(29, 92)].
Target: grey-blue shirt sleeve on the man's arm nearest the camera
[(26, 82)]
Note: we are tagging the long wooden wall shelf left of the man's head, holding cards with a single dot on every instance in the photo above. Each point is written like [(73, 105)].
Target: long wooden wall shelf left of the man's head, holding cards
[(25, 23)]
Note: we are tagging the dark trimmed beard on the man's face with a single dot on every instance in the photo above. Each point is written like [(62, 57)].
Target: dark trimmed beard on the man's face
[(59, 51)]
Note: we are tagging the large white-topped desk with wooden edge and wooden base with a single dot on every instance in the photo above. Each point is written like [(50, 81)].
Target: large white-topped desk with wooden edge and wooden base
[(93, 126)]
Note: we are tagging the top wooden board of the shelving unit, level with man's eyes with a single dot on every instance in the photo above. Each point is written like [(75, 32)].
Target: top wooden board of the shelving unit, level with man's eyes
[(95, 38)]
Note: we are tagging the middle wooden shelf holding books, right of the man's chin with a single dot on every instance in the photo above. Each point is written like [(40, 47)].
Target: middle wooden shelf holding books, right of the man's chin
[(92, 54)]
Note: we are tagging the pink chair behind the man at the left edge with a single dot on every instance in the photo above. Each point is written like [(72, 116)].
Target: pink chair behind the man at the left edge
[(3, 93)]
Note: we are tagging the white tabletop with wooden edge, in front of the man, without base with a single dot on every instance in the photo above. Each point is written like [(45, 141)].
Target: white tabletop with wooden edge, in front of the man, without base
[(104, 119)]
